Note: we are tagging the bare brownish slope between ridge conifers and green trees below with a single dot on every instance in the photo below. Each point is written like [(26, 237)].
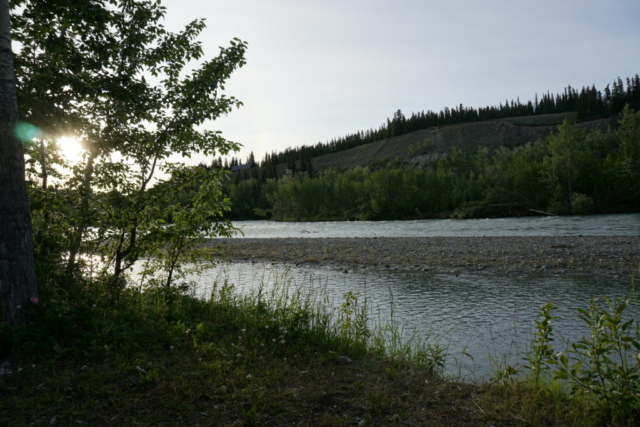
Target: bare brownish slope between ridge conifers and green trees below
[(425, 147)]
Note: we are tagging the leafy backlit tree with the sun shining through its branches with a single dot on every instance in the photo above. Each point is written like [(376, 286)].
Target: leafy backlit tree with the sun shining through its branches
[(135, 95)]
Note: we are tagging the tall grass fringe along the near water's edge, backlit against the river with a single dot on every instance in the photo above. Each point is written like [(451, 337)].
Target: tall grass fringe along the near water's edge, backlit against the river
[(349, 322)]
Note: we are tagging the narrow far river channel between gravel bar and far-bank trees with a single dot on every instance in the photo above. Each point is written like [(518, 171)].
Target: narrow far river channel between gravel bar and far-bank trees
[(591, 225)]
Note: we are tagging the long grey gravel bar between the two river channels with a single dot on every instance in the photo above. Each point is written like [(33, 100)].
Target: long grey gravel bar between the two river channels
[(604, 256)]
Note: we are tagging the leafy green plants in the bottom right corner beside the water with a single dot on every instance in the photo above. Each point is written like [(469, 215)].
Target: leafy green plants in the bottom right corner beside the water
[(601, 370)]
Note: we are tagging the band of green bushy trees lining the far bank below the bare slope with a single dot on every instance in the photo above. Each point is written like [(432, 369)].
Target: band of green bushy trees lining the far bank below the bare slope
[(566, 172)]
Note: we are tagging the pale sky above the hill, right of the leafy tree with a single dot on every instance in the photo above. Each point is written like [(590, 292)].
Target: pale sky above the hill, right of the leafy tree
[(325, 68)]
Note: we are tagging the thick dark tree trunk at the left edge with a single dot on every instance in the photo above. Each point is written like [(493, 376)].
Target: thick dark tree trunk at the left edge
[(17, 274)]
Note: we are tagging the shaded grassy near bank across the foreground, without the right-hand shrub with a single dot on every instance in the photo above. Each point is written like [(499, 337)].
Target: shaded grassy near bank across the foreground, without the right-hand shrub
[(163, 358)]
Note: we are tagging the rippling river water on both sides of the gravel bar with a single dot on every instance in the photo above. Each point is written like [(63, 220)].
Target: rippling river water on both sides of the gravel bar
[(483, 322)]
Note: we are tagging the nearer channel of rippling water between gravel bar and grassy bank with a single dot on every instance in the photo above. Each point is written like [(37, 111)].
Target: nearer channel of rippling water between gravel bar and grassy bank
[(475, 315)]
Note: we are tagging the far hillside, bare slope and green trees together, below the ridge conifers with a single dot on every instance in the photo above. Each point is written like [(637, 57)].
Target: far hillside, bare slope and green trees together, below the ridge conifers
[(528, 164)]
